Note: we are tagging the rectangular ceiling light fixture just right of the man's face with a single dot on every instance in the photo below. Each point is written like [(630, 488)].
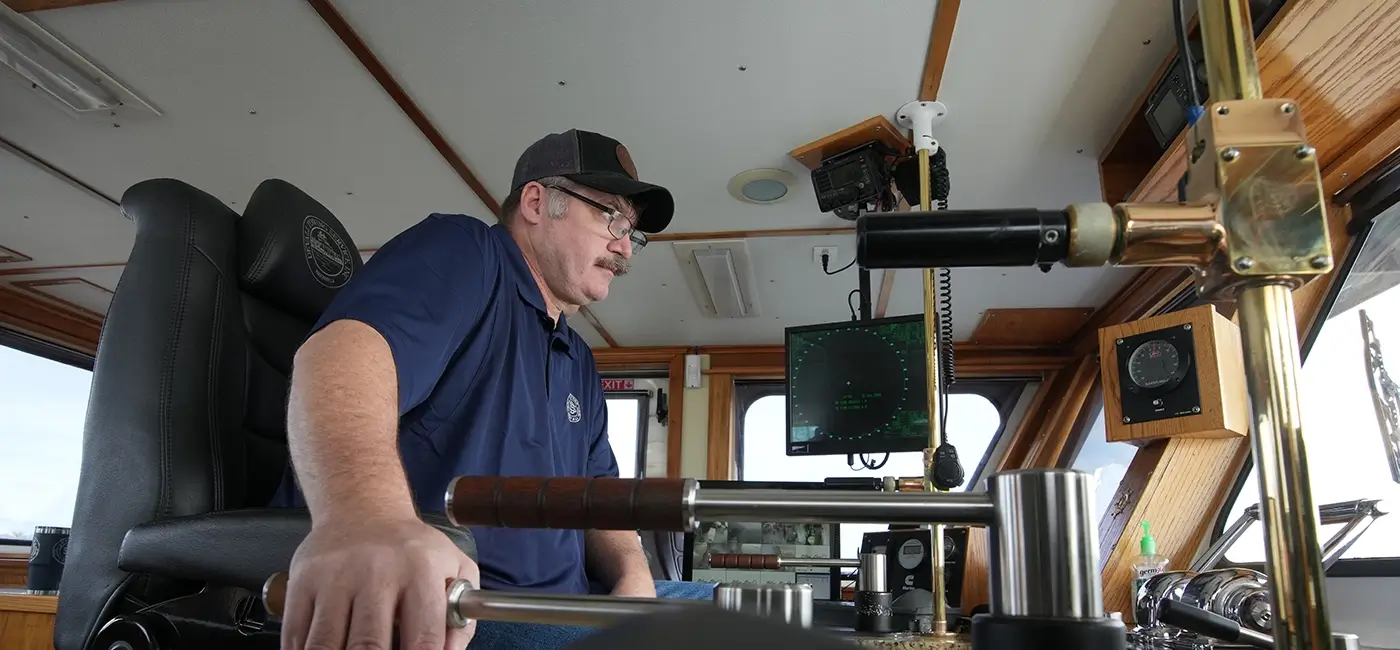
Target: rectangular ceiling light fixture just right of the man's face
[(720, 277)]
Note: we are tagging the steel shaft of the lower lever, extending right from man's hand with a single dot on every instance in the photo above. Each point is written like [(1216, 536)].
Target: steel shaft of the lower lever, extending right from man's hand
[(467, 604)]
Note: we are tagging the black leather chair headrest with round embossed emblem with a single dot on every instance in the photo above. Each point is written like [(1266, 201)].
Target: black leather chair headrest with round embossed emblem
[(292, 251)]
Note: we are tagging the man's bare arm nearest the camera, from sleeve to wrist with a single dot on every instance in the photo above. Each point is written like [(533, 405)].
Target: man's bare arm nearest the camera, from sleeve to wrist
[(342, 425)]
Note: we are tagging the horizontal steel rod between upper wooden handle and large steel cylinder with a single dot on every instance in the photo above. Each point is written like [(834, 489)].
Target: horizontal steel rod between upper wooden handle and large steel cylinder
[(842, 508)]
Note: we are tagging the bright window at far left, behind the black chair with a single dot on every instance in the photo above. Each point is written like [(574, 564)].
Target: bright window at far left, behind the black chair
[(43, 408)]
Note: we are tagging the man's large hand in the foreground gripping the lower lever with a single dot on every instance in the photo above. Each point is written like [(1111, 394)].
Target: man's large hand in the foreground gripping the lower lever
[(351, 581)]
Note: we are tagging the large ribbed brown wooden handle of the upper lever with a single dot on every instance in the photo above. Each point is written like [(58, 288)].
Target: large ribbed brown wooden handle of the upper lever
[(575, 504)]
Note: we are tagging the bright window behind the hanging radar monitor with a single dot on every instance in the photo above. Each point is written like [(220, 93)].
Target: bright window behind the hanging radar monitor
[(974, 425)]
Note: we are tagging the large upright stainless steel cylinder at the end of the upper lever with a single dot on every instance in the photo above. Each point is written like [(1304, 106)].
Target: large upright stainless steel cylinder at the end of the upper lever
[(1045, 550)]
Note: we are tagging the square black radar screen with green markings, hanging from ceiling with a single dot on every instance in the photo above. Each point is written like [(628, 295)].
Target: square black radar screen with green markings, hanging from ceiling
[(857, 387)]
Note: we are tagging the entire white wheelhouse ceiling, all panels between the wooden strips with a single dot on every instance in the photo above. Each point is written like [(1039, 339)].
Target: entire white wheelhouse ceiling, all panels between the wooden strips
[(698, 92)]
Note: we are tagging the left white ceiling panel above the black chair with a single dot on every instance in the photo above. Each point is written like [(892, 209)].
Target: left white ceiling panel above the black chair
[(250, 90)]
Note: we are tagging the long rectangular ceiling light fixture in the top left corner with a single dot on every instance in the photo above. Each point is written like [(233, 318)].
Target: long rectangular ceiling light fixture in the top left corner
[(48, 67)]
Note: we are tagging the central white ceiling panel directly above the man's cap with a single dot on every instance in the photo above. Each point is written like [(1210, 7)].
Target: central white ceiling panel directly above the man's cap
[(661, 76)]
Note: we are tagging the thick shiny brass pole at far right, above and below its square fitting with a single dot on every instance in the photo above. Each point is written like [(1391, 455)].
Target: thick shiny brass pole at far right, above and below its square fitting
[(1270, 345)]
